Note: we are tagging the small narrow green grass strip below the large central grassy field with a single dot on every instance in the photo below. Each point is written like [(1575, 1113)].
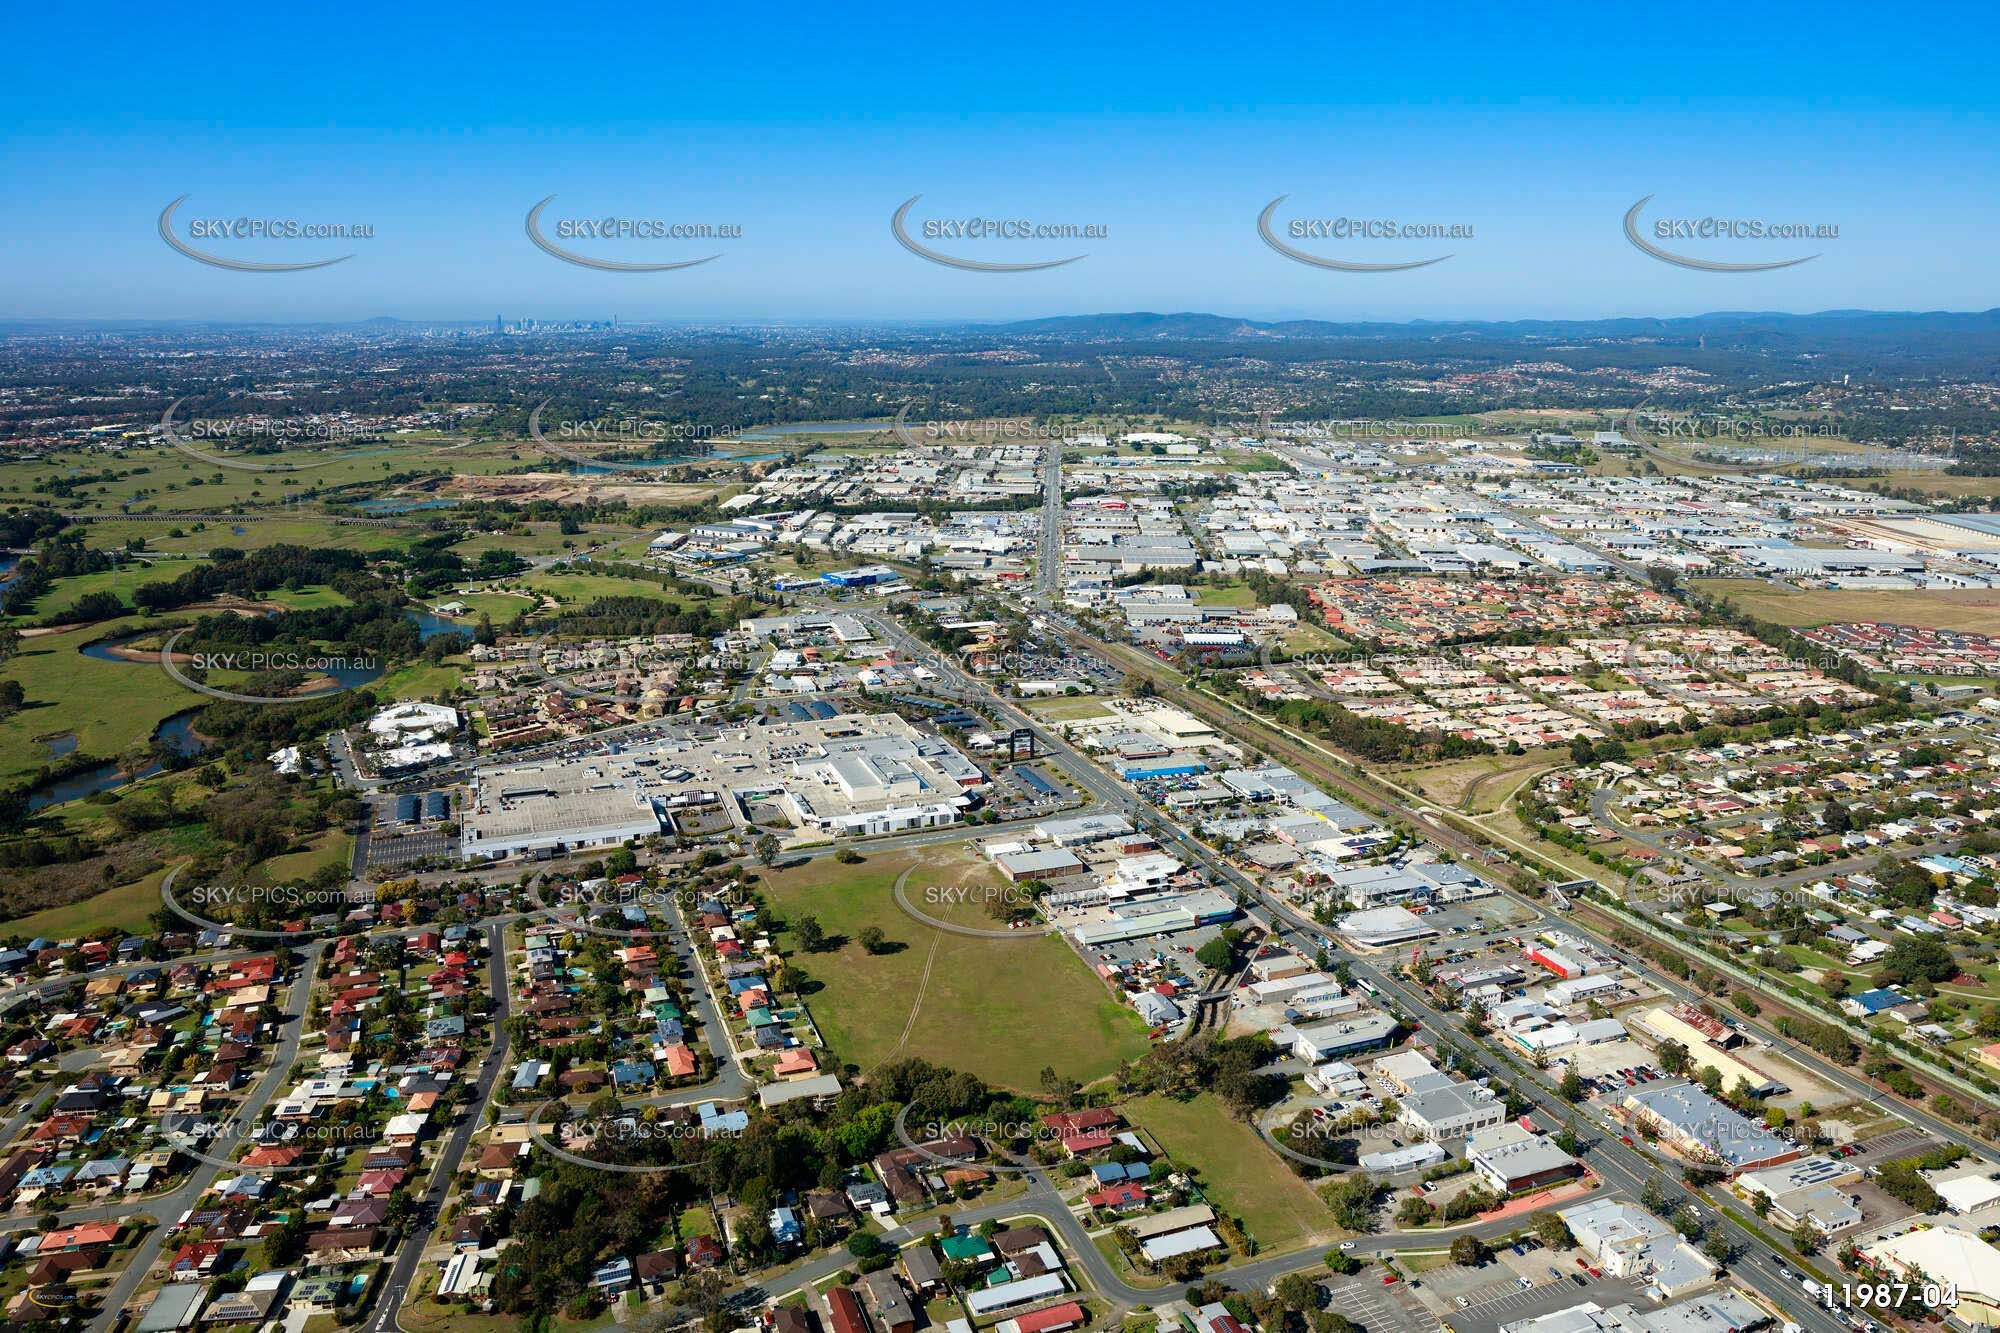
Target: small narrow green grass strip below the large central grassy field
[(1237, 1170)]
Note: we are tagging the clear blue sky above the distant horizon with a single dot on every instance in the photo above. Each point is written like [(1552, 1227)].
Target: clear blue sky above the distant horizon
[(1169, 125)]
